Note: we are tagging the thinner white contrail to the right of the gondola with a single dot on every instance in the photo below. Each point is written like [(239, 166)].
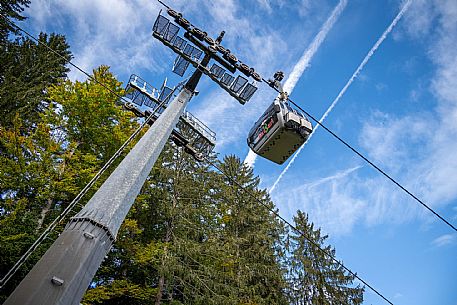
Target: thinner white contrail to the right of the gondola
[(353, 77)]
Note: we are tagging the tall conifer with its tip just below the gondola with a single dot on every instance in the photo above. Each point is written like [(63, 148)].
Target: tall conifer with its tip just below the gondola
[(251, 235)]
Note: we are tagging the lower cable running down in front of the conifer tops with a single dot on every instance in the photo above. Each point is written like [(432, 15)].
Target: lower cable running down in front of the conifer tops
[(333, 258)]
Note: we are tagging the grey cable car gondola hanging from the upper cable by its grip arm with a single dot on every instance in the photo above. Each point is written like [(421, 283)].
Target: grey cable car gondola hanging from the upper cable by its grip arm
[(281, 129)]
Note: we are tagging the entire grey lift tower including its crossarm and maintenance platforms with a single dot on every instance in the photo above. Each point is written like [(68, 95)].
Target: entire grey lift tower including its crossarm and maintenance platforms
[(65, 271)]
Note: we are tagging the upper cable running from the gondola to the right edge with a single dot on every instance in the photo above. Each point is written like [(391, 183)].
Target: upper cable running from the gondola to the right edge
[(370, 162)]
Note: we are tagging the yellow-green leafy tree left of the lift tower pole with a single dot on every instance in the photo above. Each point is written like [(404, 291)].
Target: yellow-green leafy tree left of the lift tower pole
[(44, 167)]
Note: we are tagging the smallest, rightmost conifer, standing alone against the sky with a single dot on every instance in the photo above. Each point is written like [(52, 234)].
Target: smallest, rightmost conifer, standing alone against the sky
[(314, 278)]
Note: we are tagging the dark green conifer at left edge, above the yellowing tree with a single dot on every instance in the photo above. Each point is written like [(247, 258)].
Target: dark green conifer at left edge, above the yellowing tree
[(27, 70)]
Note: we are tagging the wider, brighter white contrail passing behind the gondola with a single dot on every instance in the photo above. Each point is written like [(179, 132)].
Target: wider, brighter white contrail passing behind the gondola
[(305, 60)]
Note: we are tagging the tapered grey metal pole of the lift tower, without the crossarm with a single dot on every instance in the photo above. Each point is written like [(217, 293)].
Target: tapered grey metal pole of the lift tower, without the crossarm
[(64, 272)]
